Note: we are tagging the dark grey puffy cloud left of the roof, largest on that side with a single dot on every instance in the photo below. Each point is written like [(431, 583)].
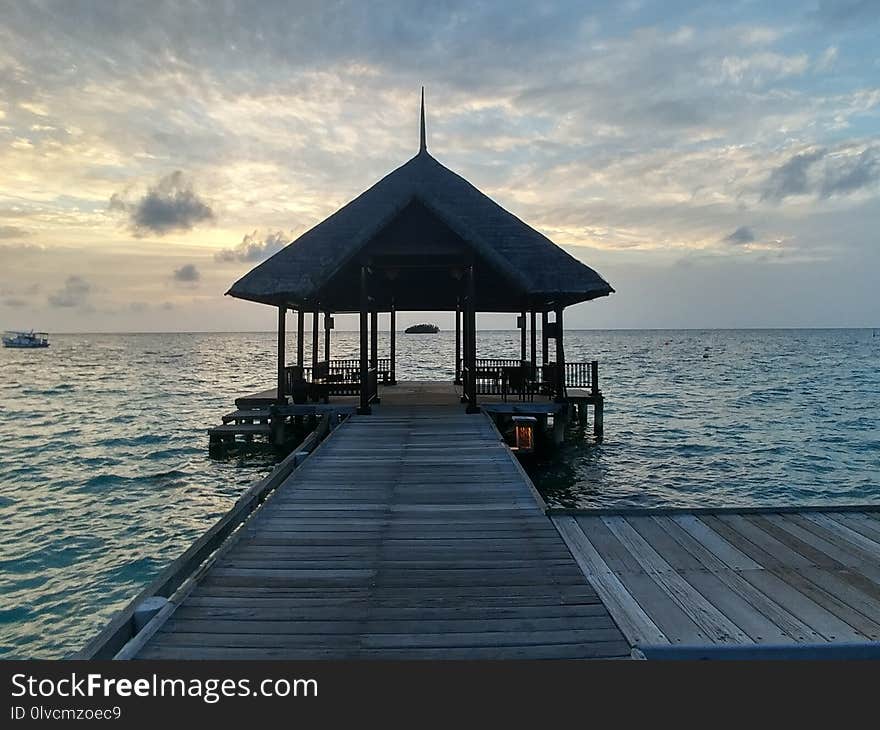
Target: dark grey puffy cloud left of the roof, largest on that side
[(170, 205)]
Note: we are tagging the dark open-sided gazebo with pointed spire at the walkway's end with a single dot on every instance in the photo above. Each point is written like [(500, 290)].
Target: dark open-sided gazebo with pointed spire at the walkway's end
[(421, 239)]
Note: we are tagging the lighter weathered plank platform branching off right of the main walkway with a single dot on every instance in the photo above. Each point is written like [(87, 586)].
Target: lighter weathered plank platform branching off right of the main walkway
[(756, 578)]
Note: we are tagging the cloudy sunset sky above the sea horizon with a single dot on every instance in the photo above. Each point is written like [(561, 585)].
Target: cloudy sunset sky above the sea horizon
[(718, 164)]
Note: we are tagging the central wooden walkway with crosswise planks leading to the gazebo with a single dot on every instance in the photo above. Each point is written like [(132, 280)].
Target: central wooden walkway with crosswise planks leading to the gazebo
[(410, 533)]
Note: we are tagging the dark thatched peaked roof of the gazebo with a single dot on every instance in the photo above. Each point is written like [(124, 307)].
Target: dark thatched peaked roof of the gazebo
[(533, 268)]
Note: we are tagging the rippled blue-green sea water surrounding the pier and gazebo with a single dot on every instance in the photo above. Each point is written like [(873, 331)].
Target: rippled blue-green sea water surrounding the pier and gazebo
[(105, 475)]
